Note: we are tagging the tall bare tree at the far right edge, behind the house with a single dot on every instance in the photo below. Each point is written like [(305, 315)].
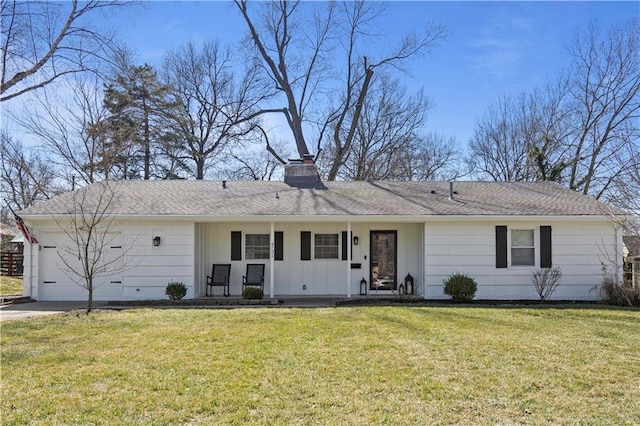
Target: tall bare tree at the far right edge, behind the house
[(604, 88)]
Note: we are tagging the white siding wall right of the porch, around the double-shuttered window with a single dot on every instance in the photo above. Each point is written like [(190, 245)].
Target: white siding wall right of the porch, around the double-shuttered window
[(579, 248)]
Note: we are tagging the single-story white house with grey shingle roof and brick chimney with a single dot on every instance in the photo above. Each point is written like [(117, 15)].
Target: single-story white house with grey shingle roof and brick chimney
[(338, 239)]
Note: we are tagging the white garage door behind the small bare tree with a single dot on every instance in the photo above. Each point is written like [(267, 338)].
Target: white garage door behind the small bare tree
[(55, 280)]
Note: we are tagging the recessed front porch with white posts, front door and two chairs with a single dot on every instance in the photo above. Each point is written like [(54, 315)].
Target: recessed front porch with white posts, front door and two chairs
[(313, 260)]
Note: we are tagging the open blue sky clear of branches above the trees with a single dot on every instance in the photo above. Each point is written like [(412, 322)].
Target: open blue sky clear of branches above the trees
[(493, 48)]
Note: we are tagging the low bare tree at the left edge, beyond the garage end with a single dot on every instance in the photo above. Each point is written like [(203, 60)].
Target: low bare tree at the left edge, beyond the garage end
[(27, 176)]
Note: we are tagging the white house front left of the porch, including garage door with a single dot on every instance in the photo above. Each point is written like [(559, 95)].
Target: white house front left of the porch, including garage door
[(145, 270)]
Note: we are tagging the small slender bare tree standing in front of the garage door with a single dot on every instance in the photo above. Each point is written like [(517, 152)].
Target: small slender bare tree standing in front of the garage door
[(92, 230)]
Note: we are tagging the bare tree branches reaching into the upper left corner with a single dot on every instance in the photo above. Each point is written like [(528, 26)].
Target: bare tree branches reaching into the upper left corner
[(43, 41)]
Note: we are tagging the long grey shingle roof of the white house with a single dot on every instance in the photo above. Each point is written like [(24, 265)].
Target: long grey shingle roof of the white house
[(245, 199)]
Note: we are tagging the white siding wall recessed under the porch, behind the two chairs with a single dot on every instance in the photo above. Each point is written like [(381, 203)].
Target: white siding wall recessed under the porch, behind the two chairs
[(320, 276)]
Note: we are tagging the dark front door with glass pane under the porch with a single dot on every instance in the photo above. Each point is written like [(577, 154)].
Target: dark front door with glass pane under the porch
[(383, 260)]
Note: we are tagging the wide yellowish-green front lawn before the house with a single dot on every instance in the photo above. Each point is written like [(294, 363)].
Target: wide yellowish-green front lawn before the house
[(357, 365)]
